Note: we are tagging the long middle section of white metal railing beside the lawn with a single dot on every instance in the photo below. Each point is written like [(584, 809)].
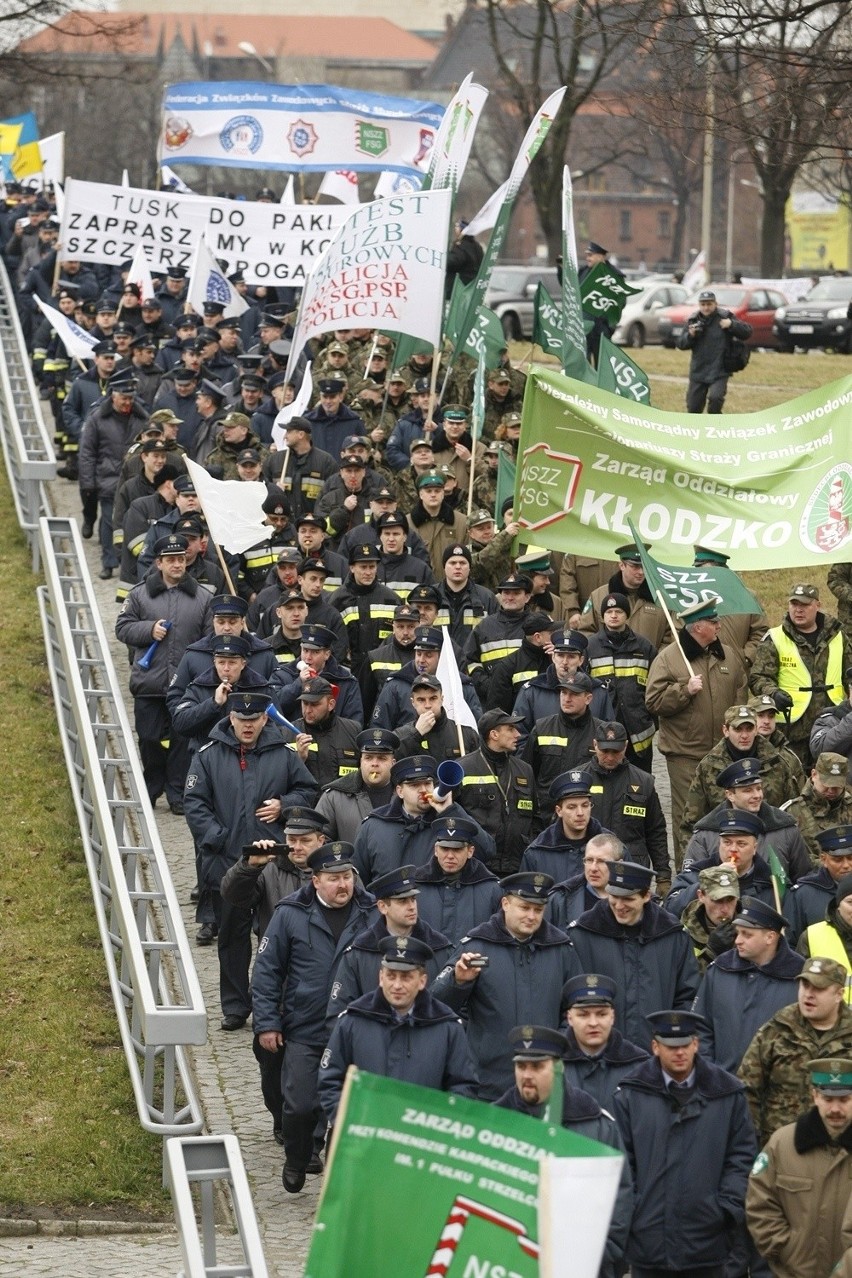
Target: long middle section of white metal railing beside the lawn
[(155, 986)]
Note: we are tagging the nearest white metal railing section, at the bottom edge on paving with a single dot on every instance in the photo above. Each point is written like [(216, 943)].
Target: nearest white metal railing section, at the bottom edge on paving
[(210, 1164)]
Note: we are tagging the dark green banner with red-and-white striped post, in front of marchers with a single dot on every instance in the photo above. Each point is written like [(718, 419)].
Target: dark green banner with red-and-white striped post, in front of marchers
[(422, 1183)]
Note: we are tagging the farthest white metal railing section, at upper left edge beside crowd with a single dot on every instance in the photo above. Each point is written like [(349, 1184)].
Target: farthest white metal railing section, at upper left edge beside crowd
[(27, 448)]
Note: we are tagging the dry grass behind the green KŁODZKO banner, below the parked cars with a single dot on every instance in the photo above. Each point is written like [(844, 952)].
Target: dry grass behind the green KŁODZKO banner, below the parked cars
[(771, 379)]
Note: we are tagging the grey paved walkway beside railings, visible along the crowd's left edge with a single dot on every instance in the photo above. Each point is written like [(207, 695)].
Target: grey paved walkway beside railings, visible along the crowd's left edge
[(227, 1079)]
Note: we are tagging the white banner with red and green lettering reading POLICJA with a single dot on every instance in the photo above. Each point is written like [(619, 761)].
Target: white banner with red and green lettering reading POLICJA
[(386, 269)]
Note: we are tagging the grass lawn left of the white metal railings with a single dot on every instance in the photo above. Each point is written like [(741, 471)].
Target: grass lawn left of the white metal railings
[(70, 1130)]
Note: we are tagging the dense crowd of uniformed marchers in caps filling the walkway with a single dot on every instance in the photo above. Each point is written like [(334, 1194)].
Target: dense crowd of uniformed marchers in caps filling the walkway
[(468, 935)]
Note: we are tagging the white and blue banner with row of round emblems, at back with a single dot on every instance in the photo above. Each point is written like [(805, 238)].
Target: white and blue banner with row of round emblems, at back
[(302, 127)]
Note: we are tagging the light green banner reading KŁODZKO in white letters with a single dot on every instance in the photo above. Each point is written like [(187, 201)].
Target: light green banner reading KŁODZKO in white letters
[(771, 489)]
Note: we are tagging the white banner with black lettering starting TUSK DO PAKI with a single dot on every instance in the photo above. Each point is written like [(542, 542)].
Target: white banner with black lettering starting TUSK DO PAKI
[(269, 243)]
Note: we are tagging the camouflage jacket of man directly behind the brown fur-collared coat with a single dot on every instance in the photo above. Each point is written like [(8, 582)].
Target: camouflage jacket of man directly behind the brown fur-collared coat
[(775, 1066)]
